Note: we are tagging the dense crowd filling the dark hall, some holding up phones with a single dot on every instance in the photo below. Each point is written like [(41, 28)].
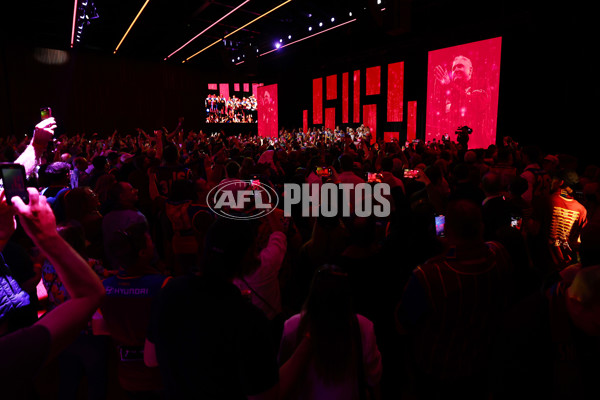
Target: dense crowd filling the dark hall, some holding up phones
[(144, 279)]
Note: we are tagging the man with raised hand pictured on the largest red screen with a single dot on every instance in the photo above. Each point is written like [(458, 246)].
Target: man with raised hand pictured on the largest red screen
[(458, 102)]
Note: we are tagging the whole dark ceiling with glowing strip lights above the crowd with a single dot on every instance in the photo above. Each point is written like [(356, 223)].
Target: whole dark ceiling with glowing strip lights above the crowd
[(166, 25)]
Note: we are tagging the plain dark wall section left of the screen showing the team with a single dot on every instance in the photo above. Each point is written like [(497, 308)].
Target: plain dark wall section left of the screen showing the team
[(91, 93)]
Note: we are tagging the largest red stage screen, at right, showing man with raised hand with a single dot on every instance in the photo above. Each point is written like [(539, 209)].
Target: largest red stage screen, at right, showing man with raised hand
[(462, 89)]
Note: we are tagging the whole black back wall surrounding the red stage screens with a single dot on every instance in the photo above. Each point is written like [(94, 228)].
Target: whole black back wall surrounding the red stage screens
[(548, 84)]
